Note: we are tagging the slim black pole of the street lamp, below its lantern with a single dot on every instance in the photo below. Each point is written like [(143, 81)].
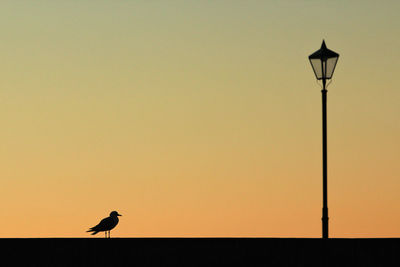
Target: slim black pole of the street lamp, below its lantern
[(325, 218)]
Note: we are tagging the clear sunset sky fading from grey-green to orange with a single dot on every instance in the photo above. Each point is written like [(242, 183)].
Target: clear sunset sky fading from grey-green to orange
[(197, 118)]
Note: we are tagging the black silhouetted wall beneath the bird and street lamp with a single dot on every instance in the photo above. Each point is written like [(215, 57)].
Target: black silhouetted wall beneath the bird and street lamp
[(200, 252)]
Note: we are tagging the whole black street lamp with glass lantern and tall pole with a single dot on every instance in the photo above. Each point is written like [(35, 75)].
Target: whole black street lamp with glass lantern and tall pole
[(323, 63)]
